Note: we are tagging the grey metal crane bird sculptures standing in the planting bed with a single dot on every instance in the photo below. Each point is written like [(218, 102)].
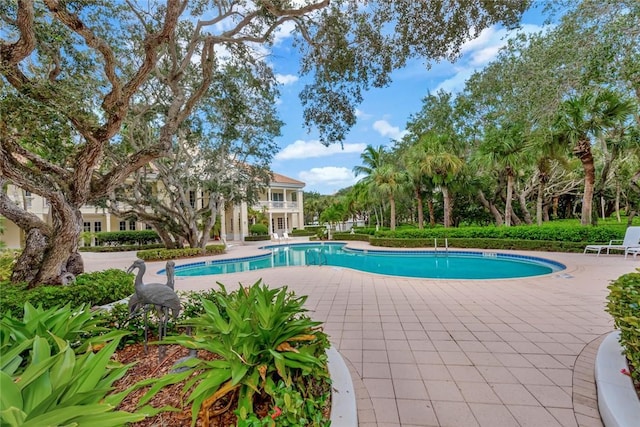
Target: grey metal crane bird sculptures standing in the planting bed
[(157, 294)]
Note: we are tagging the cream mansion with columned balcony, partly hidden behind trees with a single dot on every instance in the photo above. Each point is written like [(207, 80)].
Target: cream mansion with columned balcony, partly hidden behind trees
[(281, 201)]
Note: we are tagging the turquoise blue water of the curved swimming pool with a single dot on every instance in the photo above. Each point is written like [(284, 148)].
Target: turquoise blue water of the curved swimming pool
[(425, 264)]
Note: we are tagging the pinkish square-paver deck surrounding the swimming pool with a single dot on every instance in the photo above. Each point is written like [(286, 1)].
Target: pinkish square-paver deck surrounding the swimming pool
[(459, 353)]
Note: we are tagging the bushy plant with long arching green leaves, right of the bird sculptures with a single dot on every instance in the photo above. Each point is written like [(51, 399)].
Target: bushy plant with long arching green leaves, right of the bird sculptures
[(266, 345)]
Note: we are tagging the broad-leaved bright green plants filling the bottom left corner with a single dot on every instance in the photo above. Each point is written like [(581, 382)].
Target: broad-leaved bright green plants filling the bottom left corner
[(44, 381)]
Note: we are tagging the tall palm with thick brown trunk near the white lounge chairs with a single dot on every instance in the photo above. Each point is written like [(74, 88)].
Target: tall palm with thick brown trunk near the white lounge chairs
[(579, 120)]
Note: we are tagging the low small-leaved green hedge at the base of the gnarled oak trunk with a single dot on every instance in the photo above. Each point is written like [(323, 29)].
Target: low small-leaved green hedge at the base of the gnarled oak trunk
[(97, 288)]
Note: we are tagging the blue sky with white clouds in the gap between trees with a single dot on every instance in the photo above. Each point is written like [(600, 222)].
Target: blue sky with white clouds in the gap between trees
[(383, 114)]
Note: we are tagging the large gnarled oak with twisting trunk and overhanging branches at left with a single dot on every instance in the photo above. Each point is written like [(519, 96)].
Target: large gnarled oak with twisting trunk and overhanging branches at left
[(74, 73)]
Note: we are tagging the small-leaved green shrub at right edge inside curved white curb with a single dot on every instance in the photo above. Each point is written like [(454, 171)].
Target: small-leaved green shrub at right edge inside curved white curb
[(624, 307)]
